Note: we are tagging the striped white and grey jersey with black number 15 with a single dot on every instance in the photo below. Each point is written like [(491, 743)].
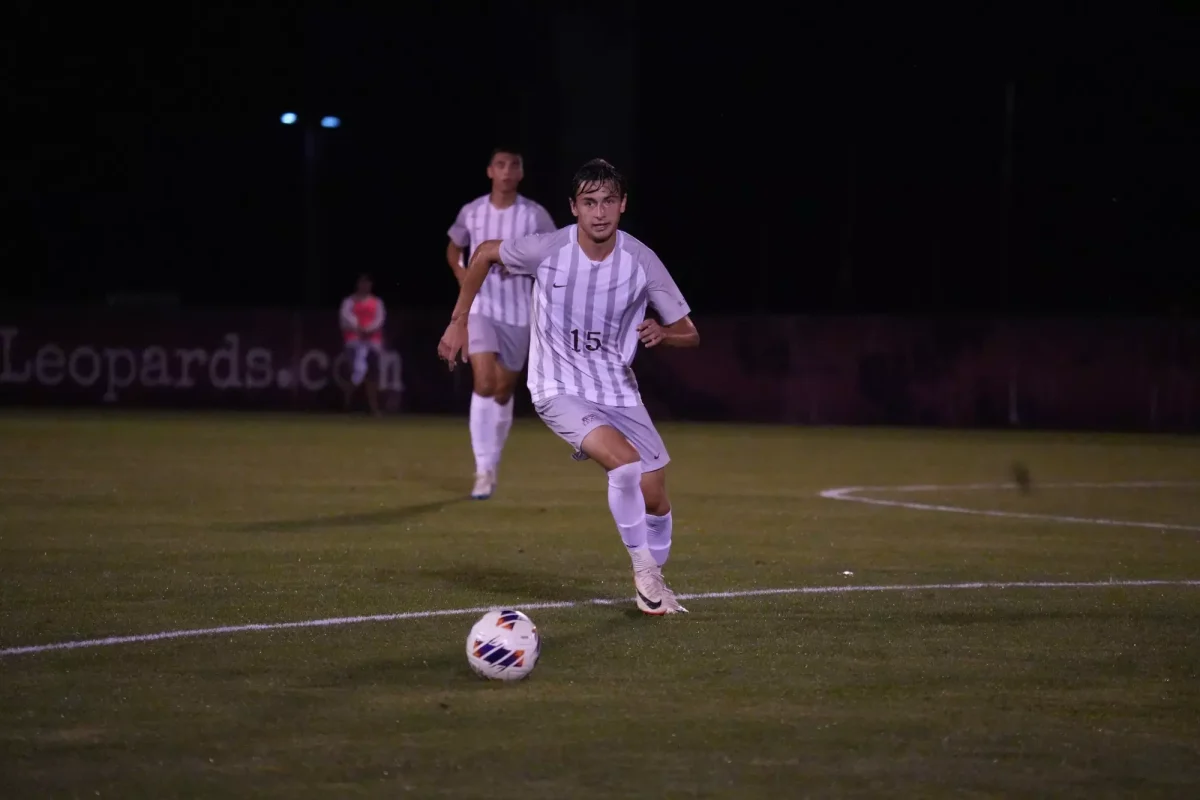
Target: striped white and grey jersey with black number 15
[(586, 314)]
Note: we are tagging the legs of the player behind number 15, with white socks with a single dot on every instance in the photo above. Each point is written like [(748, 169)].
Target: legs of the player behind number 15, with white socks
[(491, 419)]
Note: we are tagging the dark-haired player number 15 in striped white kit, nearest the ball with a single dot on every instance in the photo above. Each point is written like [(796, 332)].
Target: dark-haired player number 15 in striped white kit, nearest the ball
[(592, 287)]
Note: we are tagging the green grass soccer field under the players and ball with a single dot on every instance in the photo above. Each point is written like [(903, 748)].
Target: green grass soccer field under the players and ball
[(123, 525)]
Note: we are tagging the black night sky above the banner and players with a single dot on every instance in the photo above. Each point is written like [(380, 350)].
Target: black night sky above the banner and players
[(779, 161)]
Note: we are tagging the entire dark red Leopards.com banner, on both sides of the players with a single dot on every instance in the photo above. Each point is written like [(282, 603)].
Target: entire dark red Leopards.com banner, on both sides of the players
[(1065, 374)]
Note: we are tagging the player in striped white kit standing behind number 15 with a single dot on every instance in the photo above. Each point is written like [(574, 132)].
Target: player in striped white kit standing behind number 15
[(499, 324)]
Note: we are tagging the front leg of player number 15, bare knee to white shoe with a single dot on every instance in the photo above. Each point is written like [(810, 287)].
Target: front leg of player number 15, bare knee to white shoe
[(607, 447)]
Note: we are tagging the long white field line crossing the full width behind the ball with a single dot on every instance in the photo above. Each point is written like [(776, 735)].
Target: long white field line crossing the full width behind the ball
[(337, 622)]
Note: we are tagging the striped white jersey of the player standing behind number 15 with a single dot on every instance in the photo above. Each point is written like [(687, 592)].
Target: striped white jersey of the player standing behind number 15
[(503, 298)]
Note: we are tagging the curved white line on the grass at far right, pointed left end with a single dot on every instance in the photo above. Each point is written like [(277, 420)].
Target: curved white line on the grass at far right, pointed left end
[(854, 495)]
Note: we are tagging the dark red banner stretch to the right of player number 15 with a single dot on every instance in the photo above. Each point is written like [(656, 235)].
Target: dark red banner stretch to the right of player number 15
[(1065, 374)]
